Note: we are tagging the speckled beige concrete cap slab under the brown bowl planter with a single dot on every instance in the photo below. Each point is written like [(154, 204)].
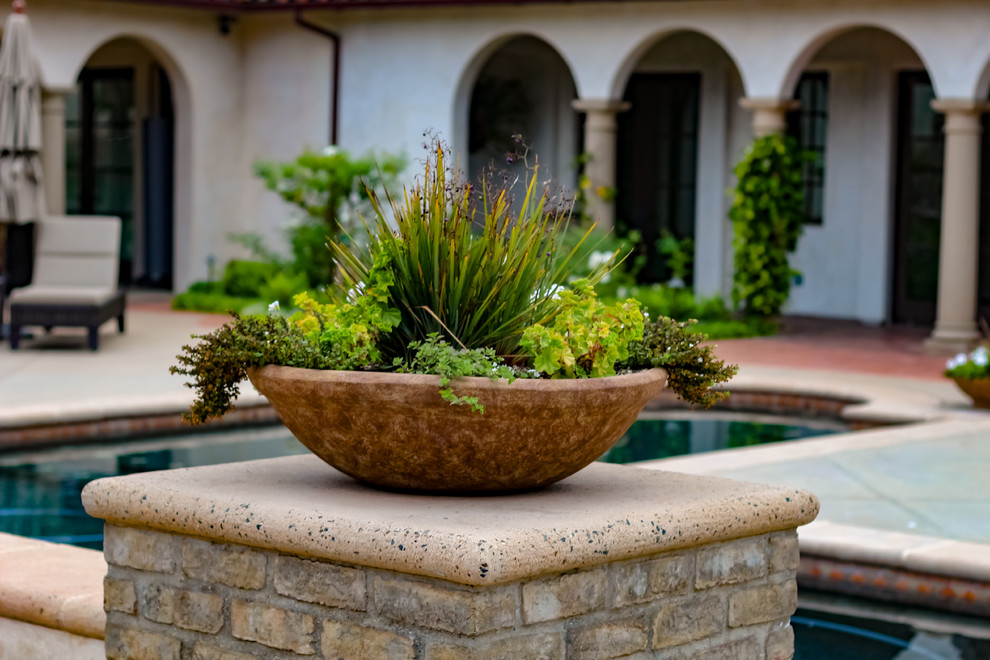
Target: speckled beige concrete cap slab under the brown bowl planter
[(301, 506)]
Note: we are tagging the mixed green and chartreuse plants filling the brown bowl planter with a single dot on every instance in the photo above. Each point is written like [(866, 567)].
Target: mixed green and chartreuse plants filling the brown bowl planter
[(454, 282)]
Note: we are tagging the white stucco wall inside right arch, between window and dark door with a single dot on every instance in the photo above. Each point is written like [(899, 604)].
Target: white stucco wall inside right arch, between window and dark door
[(846, 261)]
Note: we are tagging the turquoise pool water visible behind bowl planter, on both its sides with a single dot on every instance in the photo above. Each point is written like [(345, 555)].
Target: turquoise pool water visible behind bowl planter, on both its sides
[(39, 492)]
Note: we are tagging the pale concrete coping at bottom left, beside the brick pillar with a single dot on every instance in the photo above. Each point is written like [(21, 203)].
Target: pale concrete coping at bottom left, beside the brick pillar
[(52, 585)]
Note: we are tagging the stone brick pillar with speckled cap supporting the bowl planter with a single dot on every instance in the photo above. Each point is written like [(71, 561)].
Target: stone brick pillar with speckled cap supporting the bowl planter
[(287, 558)]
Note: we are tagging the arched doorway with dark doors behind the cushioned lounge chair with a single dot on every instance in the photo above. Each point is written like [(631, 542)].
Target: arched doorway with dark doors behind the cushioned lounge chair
[(120, 154)]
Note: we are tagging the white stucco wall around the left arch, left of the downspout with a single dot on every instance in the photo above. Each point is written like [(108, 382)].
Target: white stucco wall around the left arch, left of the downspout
[(261, 91)]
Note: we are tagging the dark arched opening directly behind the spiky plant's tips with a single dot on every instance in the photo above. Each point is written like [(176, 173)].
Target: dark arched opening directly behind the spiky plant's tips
[(524, 89)]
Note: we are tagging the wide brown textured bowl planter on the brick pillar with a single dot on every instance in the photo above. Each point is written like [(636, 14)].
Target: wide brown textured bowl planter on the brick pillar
[(394, 431)]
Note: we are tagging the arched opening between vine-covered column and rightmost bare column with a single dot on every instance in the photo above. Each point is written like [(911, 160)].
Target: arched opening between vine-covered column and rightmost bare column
[(876, 181)]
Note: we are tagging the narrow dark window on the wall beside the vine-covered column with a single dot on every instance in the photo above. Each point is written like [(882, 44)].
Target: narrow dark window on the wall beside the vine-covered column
[(809, 126)]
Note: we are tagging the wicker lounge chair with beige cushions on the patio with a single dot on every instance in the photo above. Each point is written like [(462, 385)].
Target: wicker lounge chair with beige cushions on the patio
[(75, 278)]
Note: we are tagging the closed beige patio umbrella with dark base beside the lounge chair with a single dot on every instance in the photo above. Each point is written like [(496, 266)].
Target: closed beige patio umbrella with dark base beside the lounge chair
[(21, 193)]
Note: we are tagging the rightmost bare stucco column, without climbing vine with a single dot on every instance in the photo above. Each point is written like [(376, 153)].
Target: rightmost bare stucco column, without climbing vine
[(959, 247)]
